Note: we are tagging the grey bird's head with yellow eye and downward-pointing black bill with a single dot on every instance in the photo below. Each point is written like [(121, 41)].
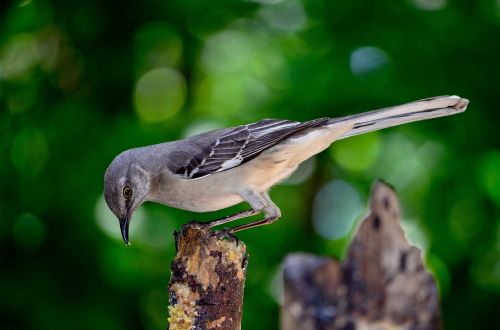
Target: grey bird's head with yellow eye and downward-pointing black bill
[(126, 186)]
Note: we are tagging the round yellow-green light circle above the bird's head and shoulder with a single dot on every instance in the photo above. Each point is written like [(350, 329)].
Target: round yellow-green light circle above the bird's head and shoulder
[(159, 94)]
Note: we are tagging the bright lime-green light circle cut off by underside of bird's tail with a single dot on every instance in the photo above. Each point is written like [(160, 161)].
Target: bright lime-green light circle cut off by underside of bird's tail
[(358, 153)]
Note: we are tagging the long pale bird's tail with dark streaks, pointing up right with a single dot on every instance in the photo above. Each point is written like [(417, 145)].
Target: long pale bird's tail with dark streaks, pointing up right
[(419, 110)]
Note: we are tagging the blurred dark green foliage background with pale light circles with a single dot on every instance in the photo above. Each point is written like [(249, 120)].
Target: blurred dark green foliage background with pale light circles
[(81, 81)]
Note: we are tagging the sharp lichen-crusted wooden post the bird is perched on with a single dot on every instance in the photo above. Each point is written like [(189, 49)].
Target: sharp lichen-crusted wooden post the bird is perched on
[(208, 277)]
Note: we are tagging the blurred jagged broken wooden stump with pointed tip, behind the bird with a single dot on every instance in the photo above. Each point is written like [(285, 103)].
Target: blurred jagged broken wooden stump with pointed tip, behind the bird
[(382, 284)]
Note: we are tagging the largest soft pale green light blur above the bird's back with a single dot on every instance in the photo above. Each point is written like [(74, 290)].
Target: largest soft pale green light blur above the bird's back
[(239, 66)]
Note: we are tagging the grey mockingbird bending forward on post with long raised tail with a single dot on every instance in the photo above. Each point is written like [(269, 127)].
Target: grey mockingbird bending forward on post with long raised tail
[(224, 167)]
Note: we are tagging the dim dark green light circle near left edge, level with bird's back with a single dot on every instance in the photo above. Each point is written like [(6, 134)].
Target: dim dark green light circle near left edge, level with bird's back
[(30, 152)]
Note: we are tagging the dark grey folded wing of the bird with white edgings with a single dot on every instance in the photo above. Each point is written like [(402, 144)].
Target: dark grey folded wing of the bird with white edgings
[(233, 147)]
